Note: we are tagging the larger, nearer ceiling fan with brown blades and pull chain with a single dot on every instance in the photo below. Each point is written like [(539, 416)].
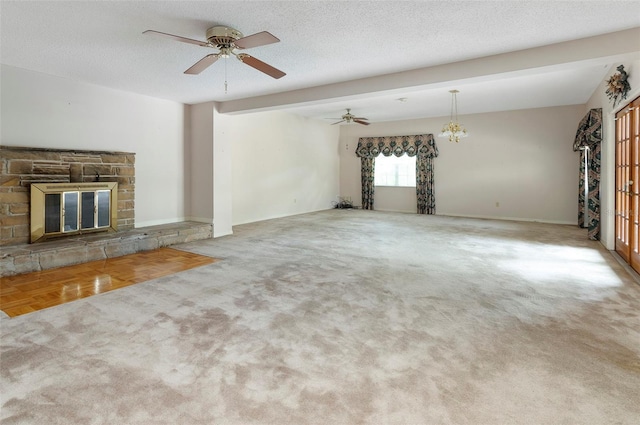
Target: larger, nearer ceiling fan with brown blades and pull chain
[(227, 40)]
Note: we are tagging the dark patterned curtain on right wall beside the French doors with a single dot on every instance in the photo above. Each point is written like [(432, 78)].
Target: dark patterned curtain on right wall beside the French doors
[(589, 135)]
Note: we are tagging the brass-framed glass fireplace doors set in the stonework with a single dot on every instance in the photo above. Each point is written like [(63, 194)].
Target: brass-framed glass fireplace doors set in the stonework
[(53, 203)]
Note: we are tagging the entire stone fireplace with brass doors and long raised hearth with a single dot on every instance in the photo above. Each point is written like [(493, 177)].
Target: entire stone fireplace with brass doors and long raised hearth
[(73, 184)]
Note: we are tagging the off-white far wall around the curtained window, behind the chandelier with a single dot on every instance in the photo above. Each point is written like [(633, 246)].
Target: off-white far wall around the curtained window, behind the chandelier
[(514, 165)]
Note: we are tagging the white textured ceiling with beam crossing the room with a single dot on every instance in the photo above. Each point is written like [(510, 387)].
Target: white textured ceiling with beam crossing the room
[(323, 43)]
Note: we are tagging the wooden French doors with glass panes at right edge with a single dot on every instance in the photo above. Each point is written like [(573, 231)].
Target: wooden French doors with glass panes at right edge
[(627, 220)]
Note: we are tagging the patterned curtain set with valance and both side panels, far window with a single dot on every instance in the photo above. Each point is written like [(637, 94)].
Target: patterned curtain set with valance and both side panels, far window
[(423, 146)]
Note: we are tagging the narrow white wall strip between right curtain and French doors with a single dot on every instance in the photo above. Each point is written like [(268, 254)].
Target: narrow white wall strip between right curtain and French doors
[(599, 99)]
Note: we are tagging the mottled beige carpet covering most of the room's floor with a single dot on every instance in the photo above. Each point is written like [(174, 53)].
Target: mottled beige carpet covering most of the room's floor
[(345, 317)]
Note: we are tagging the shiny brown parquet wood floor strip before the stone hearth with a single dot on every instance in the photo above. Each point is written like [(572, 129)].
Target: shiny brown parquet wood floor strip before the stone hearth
[(34, 291)]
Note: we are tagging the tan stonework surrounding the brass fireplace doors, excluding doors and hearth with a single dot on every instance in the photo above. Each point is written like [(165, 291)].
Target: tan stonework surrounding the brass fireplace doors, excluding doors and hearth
[(19, 167)]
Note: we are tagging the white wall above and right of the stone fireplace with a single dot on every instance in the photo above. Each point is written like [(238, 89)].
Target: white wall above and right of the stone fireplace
[(44, 111)]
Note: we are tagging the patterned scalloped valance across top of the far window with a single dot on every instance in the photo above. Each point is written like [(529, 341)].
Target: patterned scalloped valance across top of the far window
[(422, 145)]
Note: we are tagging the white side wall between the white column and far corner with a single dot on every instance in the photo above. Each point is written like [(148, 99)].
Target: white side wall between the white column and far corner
[(283, 164)]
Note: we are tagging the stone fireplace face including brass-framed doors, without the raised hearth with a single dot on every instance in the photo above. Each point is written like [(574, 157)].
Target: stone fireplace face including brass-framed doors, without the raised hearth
[(73, 174)]
